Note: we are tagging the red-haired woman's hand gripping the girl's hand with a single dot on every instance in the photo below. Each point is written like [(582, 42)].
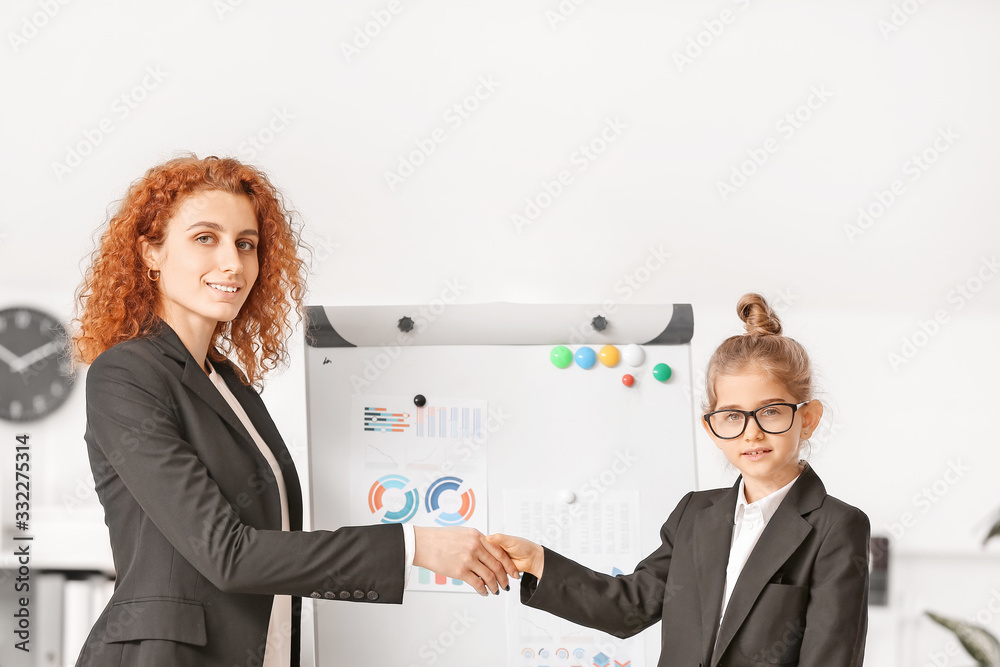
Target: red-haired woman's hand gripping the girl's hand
[(463, 553)]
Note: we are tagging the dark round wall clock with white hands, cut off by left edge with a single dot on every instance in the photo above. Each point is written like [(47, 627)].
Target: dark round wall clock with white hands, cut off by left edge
[(35, 366)]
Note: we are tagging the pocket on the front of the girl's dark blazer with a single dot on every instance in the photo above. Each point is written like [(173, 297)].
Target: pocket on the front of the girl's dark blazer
[(772, 632)]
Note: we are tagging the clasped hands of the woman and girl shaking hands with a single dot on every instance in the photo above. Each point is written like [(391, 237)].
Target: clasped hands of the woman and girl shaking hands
[(483, 561)]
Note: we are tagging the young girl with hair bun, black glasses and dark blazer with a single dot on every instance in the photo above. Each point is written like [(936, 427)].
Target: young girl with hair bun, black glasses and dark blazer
[(770, 571)]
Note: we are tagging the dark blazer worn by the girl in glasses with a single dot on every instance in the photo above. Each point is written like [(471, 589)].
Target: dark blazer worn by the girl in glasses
[(801, 599)]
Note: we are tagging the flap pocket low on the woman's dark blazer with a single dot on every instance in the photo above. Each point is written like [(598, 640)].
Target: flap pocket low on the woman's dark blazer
[(172, 619)]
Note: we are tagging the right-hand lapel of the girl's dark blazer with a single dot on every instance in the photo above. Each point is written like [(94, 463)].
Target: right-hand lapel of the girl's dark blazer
[(784, 533)]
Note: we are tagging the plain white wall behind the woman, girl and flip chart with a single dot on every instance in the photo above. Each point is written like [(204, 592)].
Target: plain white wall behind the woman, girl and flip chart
[(328, 128)]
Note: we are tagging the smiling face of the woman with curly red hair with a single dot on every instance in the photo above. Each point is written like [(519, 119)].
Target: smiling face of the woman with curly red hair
[(208, 261)]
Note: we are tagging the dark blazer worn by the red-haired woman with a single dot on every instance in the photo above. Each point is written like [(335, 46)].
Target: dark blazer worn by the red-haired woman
[(193, 512)]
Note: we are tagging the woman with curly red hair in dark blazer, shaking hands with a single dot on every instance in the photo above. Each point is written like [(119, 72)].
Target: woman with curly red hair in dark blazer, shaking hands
[(203, 504)]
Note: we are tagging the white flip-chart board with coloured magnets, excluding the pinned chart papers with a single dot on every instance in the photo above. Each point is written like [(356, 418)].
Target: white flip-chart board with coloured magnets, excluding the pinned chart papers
[(560, 430)]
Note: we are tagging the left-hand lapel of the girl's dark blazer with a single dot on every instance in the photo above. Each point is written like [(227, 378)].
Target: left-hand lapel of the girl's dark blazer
[(713, 534)]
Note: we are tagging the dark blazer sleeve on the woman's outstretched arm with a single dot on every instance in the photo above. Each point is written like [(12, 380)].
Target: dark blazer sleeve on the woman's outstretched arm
[(134, 421)]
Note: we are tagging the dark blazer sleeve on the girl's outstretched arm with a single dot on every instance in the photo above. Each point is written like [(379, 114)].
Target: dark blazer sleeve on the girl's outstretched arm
[(621, 606)]
